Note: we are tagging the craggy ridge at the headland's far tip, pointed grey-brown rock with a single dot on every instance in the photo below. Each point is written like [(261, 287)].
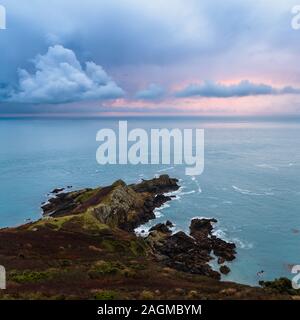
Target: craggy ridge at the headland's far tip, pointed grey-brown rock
[(119, 205)]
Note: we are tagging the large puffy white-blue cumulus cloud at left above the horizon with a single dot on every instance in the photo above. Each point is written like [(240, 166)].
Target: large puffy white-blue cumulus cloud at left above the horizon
[(60, 78)]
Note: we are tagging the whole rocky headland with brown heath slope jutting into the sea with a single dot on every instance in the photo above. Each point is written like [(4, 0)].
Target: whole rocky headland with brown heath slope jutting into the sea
[(85, 247)]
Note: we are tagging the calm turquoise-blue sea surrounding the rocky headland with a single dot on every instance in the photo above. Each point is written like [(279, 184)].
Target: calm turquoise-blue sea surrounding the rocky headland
[(250, 183)]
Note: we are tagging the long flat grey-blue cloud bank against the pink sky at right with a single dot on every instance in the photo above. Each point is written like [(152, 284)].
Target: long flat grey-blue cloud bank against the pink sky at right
[(211, 89)]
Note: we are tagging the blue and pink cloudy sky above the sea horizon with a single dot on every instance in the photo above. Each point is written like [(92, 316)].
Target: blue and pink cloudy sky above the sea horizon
[(165, 57)]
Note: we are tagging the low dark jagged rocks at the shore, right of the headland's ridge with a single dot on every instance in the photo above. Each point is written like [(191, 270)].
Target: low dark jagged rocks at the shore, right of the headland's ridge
[(191, 253)]
